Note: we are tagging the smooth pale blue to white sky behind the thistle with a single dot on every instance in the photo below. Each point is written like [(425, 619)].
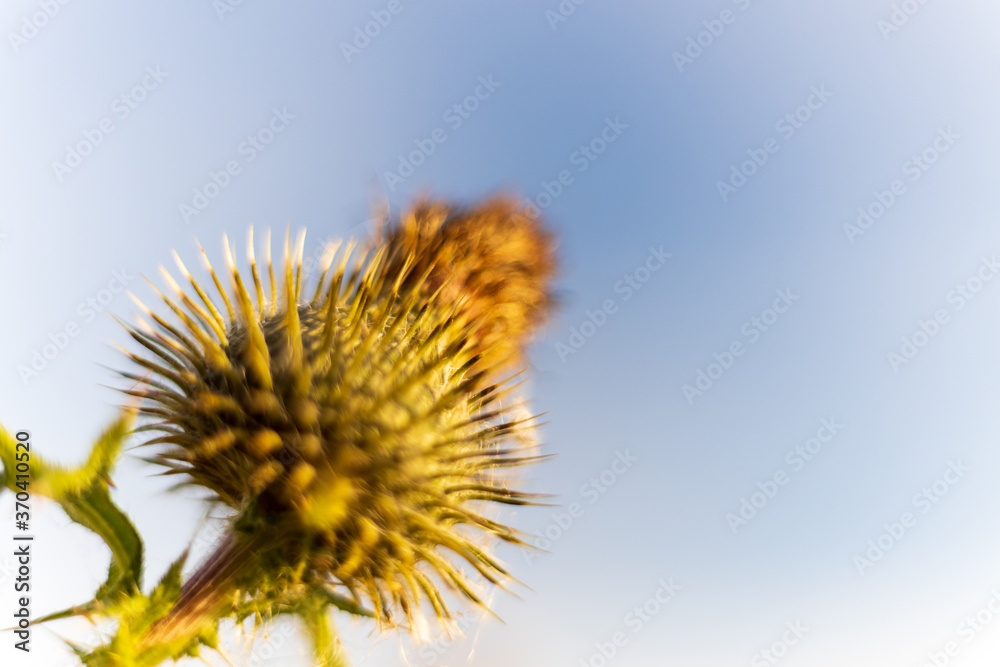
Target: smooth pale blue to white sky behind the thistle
[(889, 94)]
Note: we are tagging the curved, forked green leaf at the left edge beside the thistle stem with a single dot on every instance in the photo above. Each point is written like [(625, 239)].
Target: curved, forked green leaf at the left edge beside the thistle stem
[(83, 493)]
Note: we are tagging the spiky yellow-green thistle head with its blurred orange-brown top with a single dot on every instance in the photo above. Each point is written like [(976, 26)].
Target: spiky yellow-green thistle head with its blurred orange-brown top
[(360, 431)]
